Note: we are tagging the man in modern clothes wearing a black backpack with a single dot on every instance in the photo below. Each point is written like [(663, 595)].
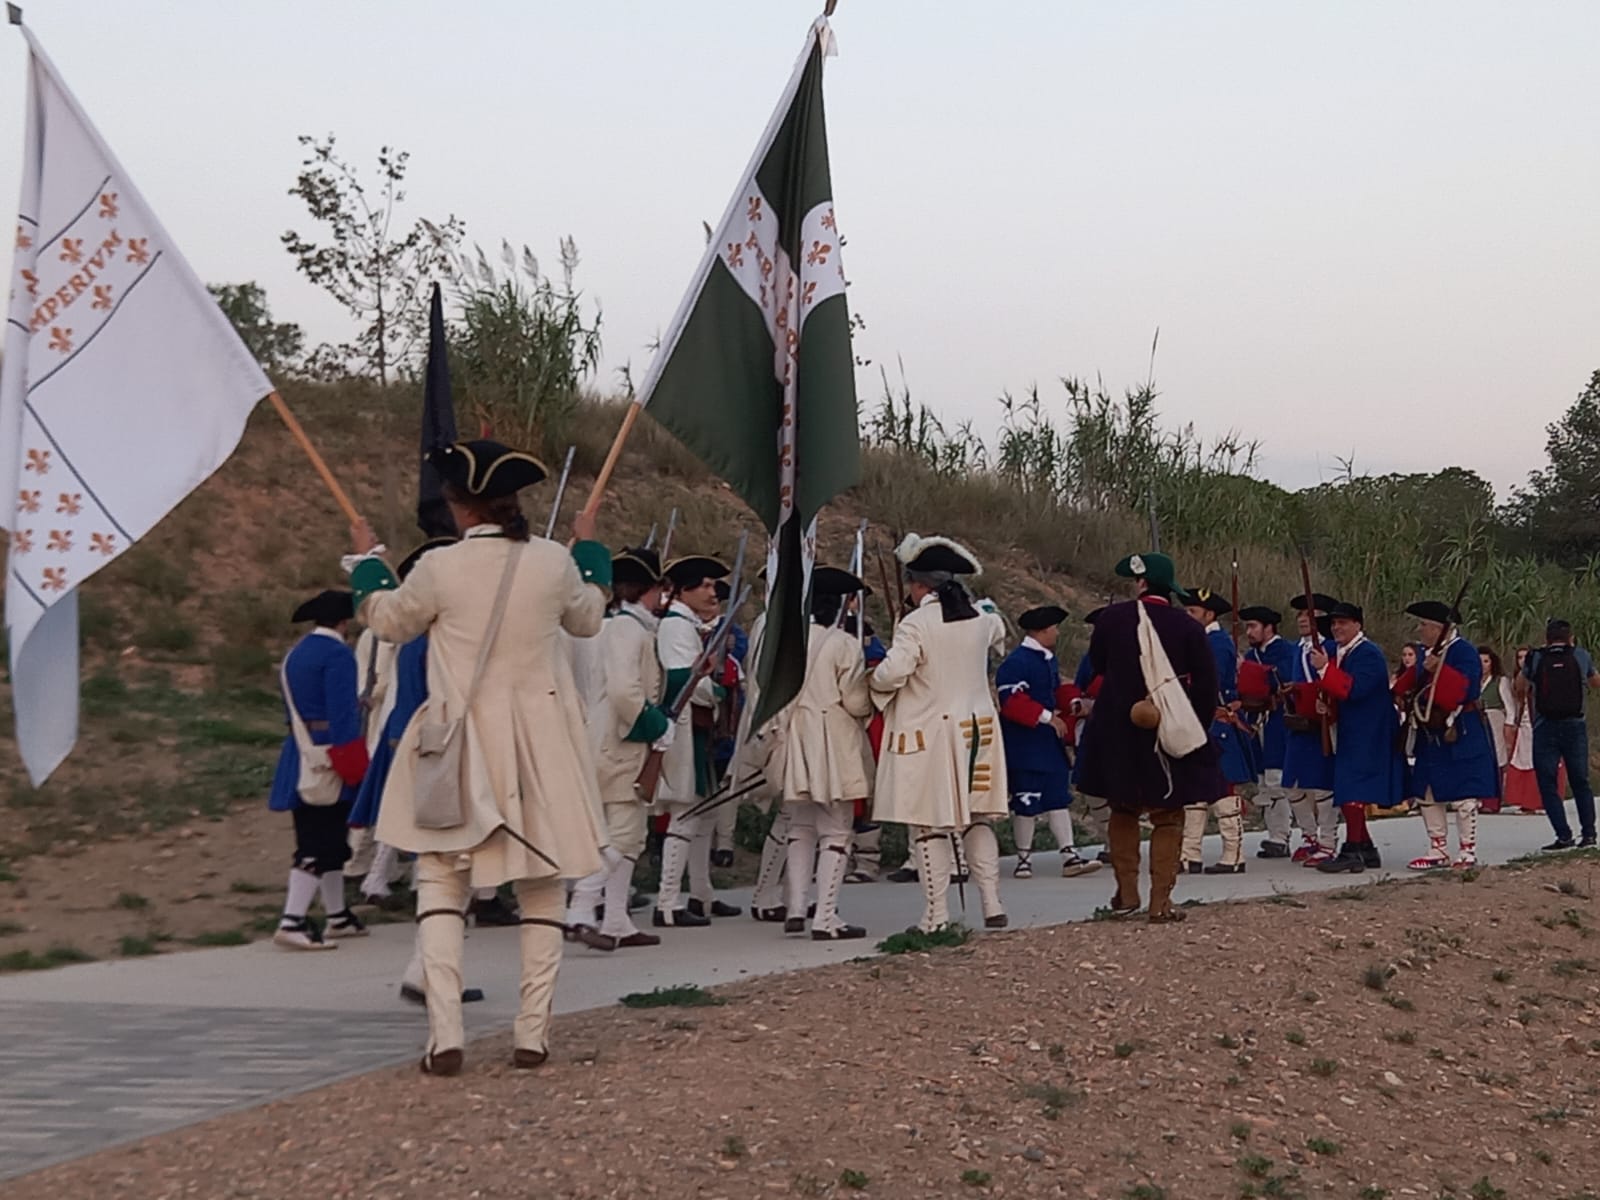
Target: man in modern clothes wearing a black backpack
[(1553, 681)]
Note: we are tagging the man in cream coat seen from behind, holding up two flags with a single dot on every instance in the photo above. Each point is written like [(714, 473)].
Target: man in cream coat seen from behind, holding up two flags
[(529, 794)]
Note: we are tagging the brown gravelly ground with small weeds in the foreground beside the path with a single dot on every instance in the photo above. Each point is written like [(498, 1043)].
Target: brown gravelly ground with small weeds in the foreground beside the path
[(1430, 1041)]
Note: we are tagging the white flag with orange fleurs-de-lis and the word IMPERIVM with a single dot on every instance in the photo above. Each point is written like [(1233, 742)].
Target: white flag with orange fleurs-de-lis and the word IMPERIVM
[(124, 388)]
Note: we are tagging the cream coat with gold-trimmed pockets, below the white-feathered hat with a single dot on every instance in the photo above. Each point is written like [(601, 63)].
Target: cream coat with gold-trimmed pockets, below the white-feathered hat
[(934, 689)]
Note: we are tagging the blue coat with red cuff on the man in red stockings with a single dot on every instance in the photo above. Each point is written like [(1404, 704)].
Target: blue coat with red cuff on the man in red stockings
[(1366, 762)]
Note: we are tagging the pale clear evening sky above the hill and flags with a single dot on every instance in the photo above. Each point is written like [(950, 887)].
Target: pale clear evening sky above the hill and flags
[(1362, 228)]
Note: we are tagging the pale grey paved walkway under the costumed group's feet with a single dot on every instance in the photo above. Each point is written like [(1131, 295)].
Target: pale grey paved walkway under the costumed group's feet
[(111, 1052)]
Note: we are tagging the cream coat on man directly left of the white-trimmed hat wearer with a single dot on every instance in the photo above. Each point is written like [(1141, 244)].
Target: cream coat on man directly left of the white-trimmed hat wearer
[(828, 758)]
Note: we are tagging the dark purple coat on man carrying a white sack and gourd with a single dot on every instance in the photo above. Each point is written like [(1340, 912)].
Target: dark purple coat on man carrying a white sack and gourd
[(1118, 759)]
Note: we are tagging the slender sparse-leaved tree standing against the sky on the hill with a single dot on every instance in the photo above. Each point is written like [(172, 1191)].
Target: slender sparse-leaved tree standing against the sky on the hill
[(378, 276)]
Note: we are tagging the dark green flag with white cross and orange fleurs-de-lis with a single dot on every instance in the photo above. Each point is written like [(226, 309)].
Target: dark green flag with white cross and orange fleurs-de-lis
[(756, 374)]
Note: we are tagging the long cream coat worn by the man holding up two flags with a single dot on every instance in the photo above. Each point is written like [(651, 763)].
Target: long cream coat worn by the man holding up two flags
[(527, 750)]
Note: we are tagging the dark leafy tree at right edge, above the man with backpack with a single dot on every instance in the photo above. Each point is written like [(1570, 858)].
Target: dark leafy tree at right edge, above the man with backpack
[(1559, 510)]
